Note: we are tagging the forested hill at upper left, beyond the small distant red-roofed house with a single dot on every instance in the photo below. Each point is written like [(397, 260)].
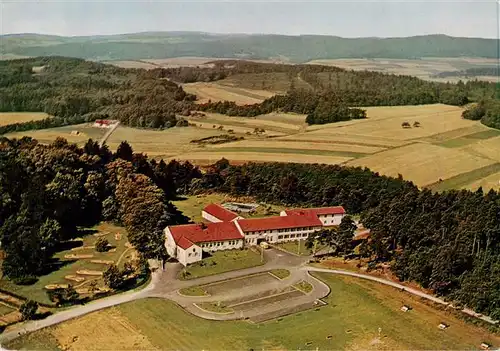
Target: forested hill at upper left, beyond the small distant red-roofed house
[(77, 91)]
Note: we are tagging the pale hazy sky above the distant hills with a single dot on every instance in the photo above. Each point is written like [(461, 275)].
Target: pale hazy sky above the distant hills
[(380, 18)]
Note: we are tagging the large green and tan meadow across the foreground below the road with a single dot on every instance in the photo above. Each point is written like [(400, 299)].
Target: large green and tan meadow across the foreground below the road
[(355, 311)]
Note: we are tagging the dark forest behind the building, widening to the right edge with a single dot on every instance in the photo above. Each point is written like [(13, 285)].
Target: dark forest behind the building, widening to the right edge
[(448, 242)]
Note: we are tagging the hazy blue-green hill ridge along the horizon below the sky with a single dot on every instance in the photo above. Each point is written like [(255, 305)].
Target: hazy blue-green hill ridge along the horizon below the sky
[(300, 48)]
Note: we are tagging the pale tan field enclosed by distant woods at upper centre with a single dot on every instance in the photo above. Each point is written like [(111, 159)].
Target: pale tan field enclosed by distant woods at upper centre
[(217, 92)]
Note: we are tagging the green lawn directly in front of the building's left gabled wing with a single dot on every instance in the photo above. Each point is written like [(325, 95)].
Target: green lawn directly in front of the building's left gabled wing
[(220, 262)]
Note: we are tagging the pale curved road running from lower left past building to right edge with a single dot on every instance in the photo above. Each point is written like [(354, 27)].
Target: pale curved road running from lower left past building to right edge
[(164, 284)]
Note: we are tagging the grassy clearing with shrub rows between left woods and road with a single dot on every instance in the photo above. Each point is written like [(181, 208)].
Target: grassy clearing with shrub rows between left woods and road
[(68, 266)]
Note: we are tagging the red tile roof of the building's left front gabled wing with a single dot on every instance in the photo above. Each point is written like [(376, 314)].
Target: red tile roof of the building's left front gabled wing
[(194, 233)]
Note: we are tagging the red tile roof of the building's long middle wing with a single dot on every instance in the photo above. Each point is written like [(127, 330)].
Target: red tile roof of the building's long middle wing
[(278, 222)]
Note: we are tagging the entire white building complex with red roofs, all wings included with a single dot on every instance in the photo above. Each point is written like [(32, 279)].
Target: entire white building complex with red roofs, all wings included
[(227, 230)]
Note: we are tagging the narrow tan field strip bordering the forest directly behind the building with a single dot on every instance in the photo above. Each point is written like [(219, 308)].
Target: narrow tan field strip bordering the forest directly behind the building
[(206, 158)]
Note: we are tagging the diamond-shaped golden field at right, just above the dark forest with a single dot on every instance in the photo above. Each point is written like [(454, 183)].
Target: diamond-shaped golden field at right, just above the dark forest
[(422, 163)]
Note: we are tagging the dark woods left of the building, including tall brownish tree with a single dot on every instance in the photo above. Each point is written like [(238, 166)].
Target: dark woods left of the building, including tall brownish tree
[(49, 192)]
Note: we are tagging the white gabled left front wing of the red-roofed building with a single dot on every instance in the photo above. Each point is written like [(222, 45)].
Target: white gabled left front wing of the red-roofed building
[(187, 242)]
